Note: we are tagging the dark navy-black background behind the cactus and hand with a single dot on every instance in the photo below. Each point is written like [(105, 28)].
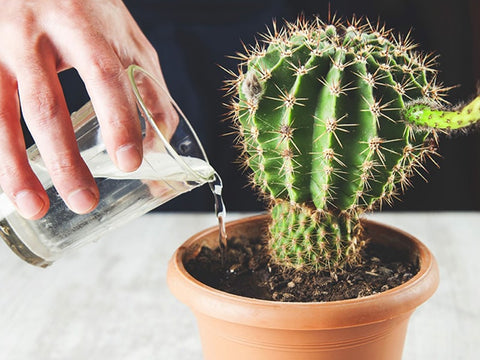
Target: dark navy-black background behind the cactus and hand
[(194, 37)]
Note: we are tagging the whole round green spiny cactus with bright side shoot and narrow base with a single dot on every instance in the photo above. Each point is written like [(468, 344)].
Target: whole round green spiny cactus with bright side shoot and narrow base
[(335, 119)]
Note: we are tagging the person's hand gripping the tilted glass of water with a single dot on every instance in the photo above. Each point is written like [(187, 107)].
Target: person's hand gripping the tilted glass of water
[(40, 38)]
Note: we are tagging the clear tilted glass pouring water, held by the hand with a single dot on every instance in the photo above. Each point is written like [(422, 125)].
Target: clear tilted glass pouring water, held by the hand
[(174, 162)]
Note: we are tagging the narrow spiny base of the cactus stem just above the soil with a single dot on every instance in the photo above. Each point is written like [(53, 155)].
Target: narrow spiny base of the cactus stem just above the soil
[(303, 237)]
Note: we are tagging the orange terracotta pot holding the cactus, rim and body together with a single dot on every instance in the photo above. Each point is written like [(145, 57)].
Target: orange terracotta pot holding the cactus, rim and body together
[(234, 327)]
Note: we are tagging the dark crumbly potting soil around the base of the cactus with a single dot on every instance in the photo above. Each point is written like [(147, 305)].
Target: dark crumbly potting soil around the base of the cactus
[(246, 270)]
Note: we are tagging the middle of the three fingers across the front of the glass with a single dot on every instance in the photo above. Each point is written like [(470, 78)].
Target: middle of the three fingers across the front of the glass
[(47, 117)]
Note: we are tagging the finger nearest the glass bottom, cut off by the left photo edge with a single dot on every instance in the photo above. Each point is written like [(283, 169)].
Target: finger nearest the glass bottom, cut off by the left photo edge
[(17, 179)]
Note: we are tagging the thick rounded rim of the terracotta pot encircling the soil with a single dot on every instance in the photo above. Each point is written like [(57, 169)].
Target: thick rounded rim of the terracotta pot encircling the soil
[(391, 303)]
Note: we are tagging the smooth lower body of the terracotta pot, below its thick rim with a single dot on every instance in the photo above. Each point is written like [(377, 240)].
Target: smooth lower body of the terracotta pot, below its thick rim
[(379, 341)]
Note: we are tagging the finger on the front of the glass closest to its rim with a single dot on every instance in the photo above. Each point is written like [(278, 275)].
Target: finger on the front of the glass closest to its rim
[(107, 84)]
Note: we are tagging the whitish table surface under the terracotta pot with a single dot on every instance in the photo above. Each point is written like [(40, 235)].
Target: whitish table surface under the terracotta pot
[(109, 300)]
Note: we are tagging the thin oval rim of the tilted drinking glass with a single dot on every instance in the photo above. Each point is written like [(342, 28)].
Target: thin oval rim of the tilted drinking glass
[(131, 70)]
